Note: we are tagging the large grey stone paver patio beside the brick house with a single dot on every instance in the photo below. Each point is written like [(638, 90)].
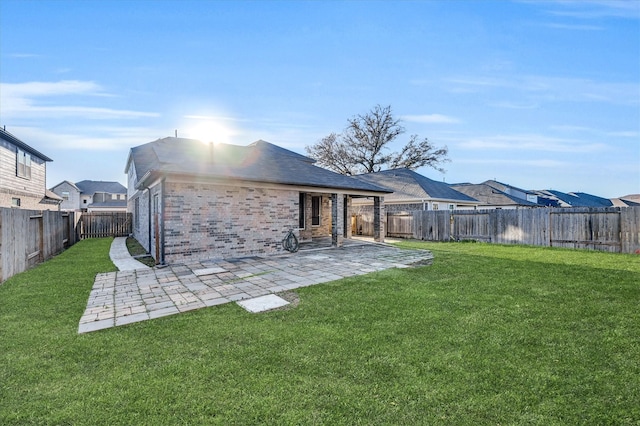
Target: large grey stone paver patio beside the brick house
[(130, 296)]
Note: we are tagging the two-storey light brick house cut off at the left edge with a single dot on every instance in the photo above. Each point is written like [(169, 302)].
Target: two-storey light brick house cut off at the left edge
[(23, 175)]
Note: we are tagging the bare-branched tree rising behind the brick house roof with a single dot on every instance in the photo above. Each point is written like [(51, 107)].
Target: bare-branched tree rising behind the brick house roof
[(363, 146)]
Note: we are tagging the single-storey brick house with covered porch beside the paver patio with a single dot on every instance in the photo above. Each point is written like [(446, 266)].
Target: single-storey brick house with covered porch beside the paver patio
[(192, 201)]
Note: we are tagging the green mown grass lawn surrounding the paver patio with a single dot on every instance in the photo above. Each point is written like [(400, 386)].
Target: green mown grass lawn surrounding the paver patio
[(486, 335)]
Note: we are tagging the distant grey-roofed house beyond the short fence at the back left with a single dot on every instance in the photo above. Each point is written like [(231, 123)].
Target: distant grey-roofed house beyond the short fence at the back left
[(92, 196)]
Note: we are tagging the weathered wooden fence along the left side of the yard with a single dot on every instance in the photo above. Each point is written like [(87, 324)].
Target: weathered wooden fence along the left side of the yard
[(28, 237)]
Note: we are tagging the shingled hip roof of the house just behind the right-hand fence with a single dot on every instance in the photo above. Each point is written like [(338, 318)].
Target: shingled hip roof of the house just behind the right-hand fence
[(409, 185)]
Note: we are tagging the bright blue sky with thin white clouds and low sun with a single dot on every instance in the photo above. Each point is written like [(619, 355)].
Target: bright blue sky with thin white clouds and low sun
[(537, 94)]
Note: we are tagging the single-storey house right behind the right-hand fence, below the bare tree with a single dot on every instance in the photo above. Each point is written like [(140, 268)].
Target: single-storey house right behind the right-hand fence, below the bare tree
[(413, 191)]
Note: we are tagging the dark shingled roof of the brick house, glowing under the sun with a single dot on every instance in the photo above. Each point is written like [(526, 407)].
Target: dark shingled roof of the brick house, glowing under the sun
[(260, 162)]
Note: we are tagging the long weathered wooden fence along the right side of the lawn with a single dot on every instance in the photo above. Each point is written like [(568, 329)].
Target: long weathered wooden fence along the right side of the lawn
[(614, 229)]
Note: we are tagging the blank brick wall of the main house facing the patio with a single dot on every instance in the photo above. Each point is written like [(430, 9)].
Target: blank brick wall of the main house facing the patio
[(203, 221)]
